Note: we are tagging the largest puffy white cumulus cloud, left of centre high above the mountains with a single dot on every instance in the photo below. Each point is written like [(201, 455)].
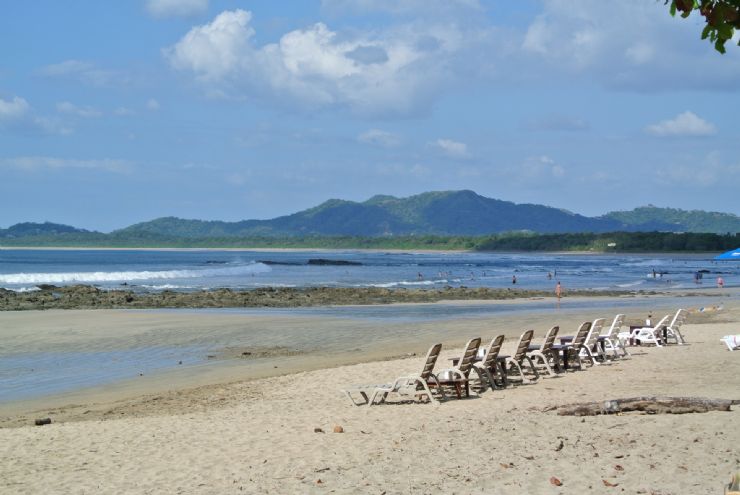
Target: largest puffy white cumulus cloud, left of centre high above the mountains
[(393, 72)]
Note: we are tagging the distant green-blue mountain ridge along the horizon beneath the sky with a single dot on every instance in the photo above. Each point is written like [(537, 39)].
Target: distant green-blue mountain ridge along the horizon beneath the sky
[(457, 213)]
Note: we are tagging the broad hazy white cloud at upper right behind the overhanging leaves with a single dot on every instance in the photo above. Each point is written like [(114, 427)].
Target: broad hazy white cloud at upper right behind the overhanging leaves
[(631, 44)]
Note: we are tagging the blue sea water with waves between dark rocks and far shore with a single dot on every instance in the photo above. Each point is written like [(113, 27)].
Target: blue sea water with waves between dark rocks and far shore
[(23, 270)]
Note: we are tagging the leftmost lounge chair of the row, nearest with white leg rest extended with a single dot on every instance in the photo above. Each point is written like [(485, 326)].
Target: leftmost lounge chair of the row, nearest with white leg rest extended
[(415, 386)]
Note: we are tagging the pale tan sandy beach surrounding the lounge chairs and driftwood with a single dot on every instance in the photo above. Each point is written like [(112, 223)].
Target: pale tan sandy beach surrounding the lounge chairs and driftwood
[(230, 431)]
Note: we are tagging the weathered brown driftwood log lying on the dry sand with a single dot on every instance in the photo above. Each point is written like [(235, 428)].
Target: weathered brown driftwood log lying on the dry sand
[(648, 405)]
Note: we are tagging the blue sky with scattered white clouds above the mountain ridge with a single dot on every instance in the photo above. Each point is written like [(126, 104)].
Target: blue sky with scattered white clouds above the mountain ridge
[(113, 113)]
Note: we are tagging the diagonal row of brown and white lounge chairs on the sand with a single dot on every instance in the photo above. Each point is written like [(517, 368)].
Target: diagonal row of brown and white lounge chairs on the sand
[(590, 345)]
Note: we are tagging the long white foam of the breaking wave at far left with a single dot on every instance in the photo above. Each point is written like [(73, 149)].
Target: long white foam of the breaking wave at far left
[(93, 277)]
